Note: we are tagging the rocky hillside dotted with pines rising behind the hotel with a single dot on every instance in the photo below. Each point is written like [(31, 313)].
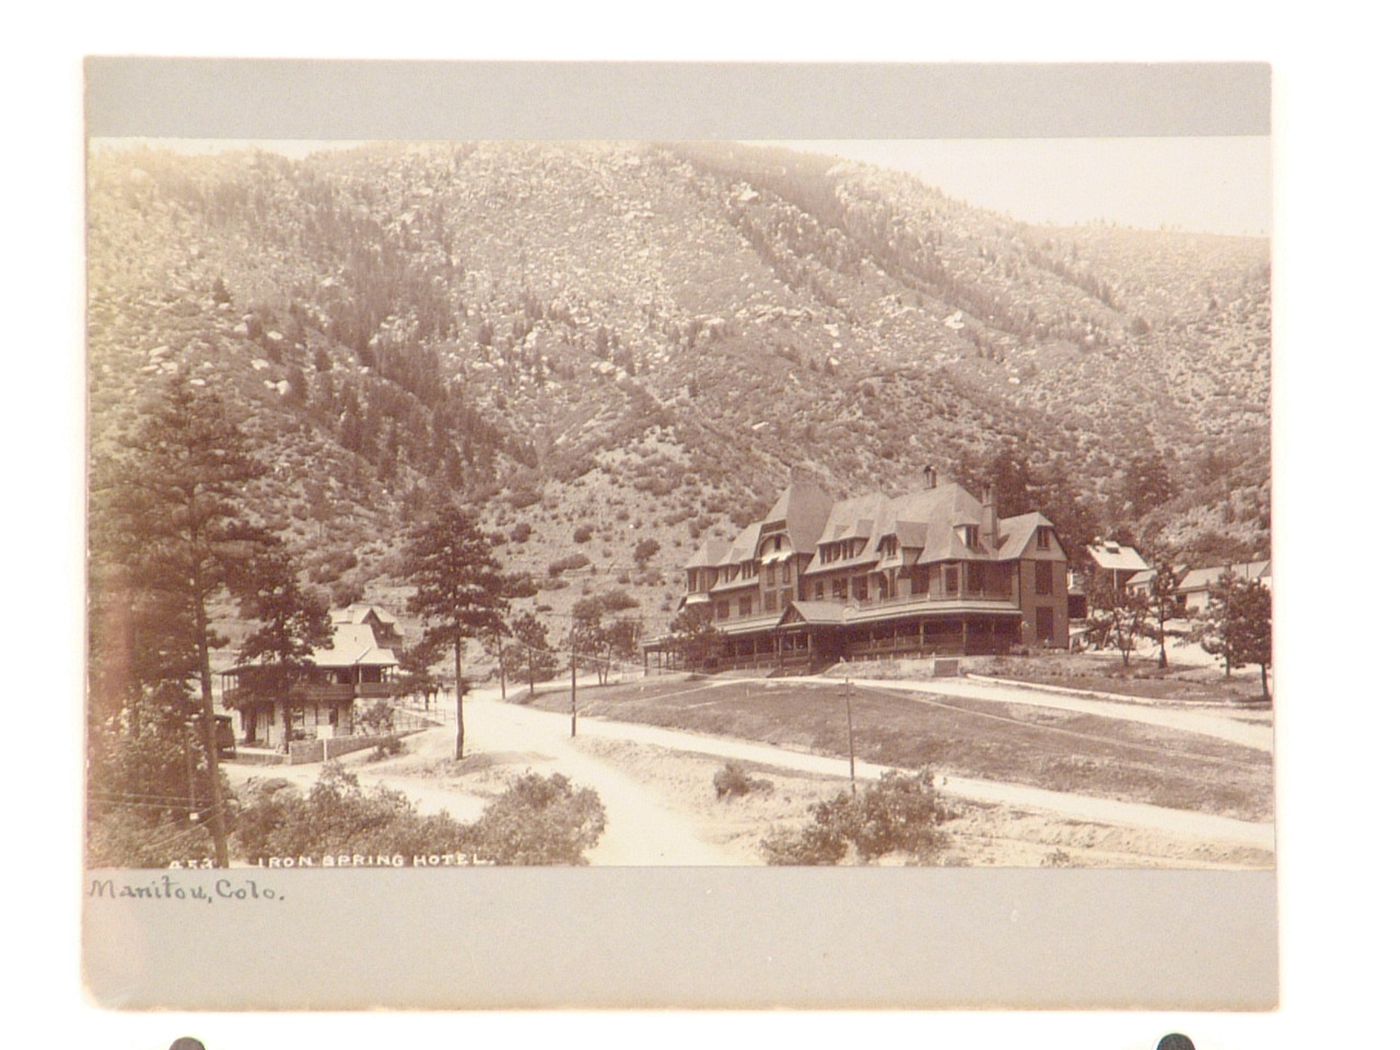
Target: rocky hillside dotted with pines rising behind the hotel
[(600, 345)]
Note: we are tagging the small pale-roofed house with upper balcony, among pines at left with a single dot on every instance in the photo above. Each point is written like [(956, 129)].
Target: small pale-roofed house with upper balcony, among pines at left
[(362, 663)]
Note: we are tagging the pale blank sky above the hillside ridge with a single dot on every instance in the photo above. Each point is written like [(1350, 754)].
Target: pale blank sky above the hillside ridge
[(1214, 185)]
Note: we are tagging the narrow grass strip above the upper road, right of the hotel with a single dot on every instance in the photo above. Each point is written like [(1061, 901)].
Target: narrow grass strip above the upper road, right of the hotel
[(1142, 678)]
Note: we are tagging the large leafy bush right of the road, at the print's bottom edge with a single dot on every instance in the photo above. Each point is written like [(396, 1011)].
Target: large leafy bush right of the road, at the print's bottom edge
[(901, 814)]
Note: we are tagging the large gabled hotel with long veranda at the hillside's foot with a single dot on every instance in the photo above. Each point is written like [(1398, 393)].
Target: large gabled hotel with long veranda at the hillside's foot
[(930, 572)]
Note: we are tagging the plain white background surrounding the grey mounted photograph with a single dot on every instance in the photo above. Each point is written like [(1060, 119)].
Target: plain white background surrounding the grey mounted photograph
[(1335, 478)]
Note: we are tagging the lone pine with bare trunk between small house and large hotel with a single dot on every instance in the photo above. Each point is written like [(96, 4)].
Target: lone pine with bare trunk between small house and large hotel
[(461, 591)]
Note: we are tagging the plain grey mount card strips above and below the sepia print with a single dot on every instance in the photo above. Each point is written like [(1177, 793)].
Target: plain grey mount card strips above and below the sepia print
[(986, 939)]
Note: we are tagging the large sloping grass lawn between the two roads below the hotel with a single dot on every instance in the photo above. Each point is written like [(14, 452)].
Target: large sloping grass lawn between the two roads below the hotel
[(1062, 751)]
